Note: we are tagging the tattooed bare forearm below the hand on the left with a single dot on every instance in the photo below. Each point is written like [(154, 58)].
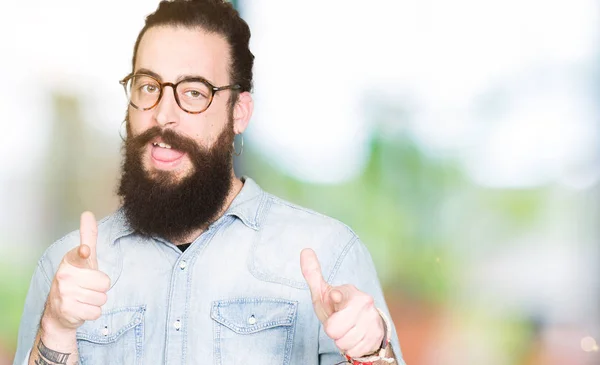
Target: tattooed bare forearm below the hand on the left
[(54, 347)]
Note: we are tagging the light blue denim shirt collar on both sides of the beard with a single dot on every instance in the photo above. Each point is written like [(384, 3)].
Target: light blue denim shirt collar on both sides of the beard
[(248, 206)]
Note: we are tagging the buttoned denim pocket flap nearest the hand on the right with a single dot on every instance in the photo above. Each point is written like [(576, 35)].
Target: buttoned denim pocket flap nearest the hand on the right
[(249, 315)]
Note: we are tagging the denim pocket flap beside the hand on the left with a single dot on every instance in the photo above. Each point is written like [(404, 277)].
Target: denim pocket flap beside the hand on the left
[(111, 325)]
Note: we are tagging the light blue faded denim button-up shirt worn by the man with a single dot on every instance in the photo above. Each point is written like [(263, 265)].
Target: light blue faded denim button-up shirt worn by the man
[(235, 296)]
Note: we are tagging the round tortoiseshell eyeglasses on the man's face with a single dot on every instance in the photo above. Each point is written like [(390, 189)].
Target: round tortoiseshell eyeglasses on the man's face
[(193, 95)]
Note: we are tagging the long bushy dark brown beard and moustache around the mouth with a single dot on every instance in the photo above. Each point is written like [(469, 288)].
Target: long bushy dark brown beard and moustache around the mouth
[(157, 203)]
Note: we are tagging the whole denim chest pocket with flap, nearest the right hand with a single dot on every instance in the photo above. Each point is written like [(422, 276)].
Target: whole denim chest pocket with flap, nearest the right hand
[(253, 330)]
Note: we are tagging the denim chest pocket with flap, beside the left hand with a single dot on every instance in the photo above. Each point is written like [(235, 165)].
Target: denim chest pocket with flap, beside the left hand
[(114, 338)]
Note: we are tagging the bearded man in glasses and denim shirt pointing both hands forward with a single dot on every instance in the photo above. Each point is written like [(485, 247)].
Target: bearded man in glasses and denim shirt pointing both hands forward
[(198, 266)]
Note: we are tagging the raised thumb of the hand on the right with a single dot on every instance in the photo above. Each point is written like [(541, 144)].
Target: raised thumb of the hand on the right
[(311, 270)]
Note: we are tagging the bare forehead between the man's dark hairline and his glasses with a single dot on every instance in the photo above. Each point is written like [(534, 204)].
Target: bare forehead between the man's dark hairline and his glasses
[(175, 51)]
